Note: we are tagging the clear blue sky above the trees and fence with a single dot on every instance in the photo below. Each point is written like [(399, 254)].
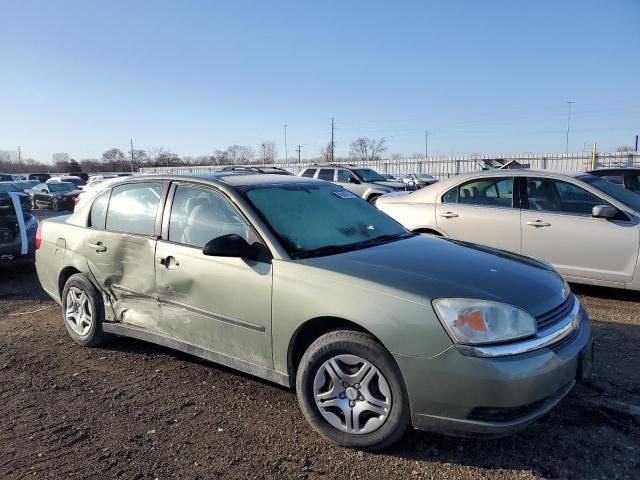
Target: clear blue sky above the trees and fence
[(192, 77)]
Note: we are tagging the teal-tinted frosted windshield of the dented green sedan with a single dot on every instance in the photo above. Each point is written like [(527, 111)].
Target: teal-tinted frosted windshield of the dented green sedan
[(315, 220)]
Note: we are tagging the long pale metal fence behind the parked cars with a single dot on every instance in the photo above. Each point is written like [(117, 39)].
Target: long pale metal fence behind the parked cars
[(447, 167)]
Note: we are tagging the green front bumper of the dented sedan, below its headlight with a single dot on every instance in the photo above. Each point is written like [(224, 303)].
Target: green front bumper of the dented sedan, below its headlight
[(458, 394)]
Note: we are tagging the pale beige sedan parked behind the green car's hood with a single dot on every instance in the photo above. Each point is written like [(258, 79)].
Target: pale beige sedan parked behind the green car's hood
[(586, 227)]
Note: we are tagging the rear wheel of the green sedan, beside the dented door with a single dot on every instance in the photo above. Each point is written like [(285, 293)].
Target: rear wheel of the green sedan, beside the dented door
[(85, 330)]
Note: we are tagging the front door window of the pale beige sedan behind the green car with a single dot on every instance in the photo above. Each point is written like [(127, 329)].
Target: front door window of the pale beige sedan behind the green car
[(558, 196)]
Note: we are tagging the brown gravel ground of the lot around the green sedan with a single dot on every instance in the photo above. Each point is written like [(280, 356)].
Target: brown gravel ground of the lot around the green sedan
[(133, 410)]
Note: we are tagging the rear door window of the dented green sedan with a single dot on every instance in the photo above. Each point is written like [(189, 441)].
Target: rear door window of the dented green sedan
[(133, 208)]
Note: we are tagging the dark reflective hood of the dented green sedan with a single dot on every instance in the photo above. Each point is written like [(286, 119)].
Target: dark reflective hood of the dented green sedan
[(429, 267)]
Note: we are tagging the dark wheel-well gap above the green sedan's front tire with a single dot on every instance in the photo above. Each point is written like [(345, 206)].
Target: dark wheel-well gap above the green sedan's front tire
[(309, 332)]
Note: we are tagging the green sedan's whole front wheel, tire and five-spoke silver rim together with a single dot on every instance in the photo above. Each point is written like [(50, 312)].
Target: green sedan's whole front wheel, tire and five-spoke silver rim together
[(381, 384)]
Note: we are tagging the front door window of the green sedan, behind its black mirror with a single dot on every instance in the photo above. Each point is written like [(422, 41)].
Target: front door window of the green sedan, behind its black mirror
[(199, 215)]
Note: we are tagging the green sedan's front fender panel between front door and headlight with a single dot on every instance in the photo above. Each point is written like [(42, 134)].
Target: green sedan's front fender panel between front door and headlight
[(404, 324)]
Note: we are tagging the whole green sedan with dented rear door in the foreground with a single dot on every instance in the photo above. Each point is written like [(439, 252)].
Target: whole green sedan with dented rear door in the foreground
[(300, 282)]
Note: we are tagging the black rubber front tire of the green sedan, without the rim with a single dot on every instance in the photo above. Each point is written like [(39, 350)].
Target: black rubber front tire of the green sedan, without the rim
[(364, 346)]
